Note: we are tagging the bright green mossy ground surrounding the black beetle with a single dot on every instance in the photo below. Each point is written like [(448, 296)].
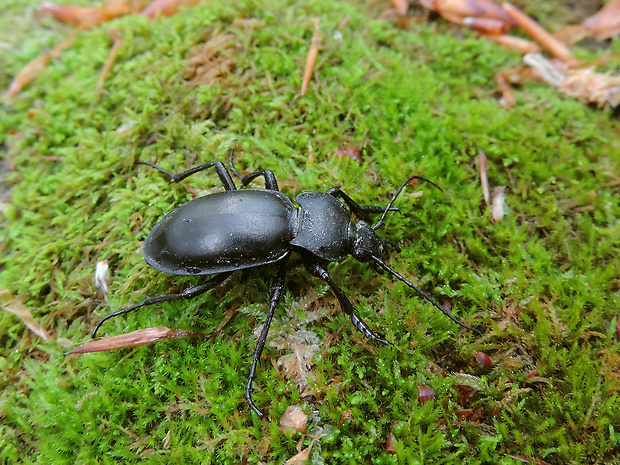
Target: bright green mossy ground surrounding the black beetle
[(542, 284)]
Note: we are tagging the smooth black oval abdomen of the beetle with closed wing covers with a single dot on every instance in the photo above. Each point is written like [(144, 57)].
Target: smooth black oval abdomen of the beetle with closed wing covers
[(226, 231)]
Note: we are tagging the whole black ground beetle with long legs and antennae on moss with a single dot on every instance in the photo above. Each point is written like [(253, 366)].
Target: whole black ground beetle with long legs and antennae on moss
[(237, 229)]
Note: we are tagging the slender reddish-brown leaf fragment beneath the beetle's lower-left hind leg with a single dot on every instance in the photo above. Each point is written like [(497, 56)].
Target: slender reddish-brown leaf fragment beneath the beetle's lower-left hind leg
[(137, 338)]
